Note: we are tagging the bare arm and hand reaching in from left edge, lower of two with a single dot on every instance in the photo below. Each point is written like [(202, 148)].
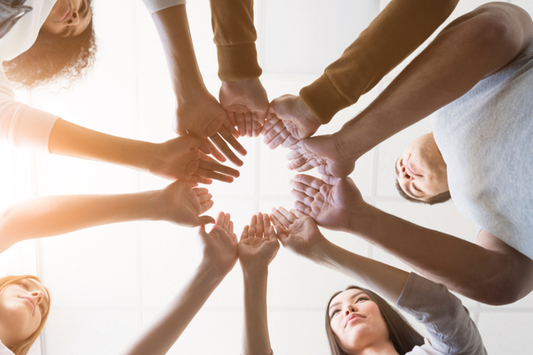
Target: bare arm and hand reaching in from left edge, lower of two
[(181, 203)]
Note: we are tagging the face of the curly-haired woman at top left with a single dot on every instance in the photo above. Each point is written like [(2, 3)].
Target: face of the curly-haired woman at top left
[(68, 18)]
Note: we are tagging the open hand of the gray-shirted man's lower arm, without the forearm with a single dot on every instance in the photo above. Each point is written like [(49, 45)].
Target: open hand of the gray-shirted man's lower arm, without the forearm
[(332, 203)]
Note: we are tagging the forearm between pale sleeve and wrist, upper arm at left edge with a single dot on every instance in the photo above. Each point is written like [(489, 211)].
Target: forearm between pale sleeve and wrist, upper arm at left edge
[(75, 141)]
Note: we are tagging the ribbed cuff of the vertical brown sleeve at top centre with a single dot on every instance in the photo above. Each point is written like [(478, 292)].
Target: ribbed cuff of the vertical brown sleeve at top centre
[(238, 62)]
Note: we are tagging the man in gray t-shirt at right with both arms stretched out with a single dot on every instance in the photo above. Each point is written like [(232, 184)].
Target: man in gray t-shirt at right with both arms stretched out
[(442, 73)]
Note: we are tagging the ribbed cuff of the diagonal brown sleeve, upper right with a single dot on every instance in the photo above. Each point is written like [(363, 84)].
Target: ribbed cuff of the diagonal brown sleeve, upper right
[(323, 99)]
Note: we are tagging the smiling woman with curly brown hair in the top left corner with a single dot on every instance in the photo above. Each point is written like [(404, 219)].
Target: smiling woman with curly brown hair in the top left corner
[(64, 49)]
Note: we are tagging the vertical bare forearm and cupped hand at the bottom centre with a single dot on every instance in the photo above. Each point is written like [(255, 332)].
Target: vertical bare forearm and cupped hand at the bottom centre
[(257, 247)]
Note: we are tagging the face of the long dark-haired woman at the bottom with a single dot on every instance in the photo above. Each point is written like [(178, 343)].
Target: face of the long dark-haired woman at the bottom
[(357, 321)]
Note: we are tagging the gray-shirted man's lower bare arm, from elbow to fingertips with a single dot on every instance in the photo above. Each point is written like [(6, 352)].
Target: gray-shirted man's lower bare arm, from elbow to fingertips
[(489, 271)]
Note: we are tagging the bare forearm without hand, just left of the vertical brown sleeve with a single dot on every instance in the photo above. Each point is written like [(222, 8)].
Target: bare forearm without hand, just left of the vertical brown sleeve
[(173, 28)]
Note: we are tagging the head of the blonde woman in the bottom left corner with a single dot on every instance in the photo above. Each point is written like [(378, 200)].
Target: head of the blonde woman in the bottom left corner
[(24, 308)]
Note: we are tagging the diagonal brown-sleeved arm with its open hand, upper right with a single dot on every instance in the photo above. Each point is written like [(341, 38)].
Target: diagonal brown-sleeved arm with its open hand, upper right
[(395, 33)]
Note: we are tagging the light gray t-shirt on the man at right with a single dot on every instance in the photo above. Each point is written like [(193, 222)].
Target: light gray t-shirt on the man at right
[(486, 140)]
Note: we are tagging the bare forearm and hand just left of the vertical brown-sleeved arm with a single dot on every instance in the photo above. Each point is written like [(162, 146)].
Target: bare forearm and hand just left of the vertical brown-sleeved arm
[(198, 112)]
